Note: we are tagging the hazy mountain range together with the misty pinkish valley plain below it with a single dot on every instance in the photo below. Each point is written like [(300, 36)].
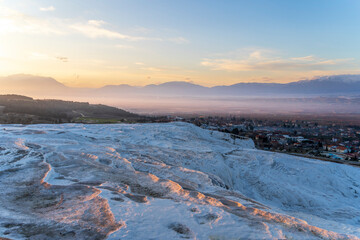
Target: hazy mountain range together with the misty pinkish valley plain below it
[(331, 94)]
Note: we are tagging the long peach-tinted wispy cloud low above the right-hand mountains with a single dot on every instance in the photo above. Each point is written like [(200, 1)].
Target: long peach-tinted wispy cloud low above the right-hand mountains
[(259, 60)]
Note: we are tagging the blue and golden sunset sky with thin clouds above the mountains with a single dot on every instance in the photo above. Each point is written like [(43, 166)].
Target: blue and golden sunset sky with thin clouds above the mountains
[(208, 42)]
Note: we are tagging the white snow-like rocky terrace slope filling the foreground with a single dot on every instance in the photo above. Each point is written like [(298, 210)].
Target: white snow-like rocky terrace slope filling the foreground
[(166, 181)]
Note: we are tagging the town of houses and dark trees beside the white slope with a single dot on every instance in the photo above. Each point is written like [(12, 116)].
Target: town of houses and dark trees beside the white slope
[(306, 138)]
